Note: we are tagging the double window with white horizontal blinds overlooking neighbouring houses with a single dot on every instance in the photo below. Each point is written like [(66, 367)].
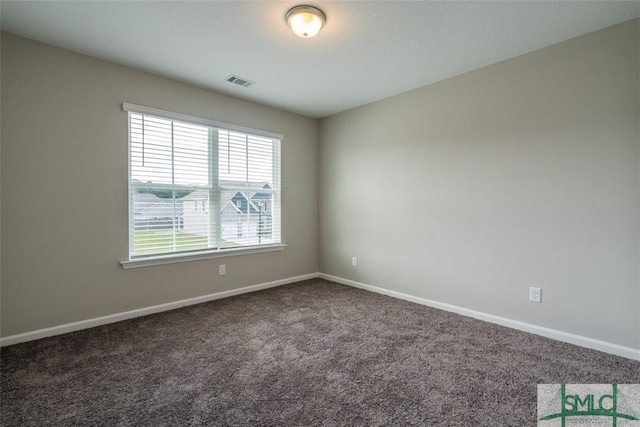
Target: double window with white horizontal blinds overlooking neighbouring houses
[(199, 187)]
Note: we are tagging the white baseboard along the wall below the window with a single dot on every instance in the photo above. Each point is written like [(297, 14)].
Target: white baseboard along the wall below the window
[(117, 317)]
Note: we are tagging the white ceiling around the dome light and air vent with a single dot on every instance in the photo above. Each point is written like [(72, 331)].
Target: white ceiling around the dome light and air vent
[(367, 51)]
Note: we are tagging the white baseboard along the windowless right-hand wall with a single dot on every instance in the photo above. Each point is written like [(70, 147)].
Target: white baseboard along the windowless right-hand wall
[(615, 349)]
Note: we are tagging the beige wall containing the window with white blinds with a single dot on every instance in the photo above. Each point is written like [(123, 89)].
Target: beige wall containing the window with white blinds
[(64, 190)]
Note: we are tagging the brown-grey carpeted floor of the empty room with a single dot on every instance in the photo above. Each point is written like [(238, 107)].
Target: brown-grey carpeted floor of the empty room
[(311, 353)]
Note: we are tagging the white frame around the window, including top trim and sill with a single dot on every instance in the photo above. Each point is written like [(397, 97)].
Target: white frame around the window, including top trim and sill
[(168, 258)]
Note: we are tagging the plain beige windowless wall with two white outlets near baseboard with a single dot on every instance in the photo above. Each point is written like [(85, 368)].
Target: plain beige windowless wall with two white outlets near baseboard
[(524, 173)]
